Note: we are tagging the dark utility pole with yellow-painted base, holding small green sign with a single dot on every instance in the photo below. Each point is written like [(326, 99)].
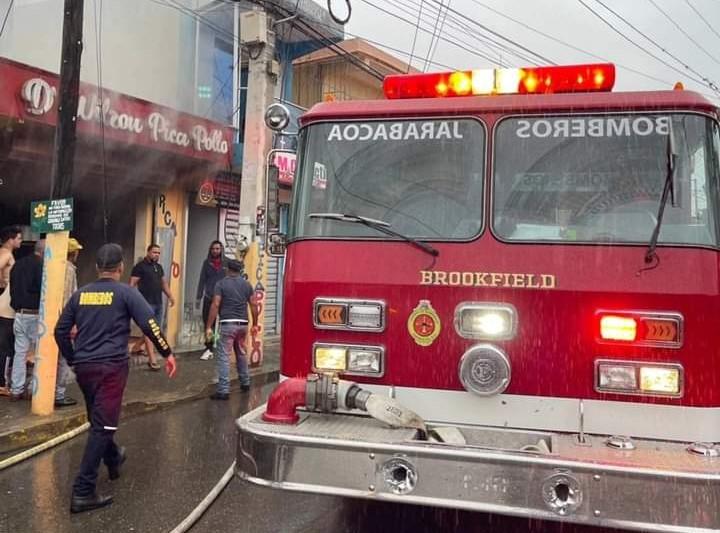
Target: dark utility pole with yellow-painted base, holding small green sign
[(56, 245)]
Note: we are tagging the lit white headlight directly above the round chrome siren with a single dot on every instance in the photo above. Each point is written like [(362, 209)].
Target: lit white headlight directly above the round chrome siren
[(485, 321)]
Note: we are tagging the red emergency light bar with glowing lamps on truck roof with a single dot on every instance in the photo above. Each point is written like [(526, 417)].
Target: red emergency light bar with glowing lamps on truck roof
[(531, 80)]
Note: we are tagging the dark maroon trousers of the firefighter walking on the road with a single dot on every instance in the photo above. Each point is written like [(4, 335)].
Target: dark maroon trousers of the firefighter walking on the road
[(102, 385)]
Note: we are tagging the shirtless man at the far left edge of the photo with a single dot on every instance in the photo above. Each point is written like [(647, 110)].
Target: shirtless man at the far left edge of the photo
[(10, 240)]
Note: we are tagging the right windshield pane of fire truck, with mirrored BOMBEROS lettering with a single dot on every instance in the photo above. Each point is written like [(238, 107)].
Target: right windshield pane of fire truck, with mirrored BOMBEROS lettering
[(599, 178)]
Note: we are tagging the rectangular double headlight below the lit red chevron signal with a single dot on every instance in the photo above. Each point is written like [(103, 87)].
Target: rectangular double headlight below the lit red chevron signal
[(635, 377)]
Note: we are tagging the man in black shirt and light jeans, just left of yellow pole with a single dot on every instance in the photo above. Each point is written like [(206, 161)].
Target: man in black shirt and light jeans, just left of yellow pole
[(25, 284)]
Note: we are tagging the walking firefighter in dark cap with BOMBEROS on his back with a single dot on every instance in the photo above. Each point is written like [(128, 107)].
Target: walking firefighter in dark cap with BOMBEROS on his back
[(101, 311)]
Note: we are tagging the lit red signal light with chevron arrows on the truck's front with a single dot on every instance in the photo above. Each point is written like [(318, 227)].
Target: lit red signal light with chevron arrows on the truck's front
[(640, 328)]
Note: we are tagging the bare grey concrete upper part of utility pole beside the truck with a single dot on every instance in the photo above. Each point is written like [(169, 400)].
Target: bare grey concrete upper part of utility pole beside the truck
[(262, 86)]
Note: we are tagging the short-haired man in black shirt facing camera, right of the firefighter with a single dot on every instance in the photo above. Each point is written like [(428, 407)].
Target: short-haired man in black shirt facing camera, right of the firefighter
[(149, 278)]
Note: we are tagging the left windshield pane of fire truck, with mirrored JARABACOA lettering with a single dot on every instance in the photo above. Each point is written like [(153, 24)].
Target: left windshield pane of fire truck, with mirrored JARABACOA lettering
[(423, 177)]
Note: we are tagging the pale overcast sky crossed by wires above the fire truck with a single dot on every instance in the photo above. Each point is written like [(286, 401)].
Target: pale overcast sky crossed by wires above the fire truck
[(566, 20)]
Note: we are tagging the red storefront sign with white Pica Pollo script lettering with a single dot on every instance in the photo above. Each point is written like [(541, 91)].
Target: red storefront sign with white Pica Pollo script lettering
[(30, 93)]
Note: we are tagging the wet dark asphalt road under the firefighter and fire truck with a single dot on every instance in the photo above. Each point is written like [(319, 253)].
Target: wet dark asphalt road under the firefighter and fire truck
[(176, 456)]
